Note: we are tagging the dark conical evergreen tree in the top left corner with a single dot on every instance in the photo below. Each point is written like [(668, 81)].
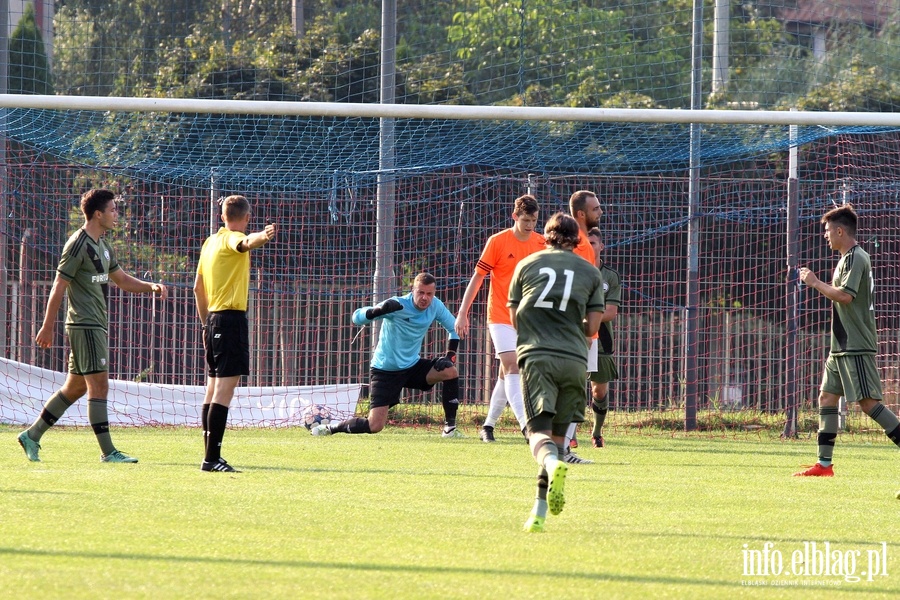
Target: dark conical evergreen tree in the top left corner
[(29, 71)]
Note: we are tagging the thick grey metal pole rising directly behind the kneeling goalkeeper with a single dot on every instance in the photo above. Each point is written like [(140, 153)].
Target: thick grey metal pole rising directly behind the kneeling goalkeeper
[(384, 283)]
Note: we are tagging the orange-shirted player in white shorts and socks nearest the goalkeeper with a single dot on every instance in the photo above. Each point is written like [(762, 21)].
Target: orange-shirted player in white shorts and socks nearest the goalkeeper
[(499, 258)]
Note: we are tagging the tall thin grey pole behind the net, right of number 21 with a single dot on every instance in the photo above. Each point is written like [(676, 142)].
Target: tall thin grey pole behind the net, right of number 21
[(692, 299)]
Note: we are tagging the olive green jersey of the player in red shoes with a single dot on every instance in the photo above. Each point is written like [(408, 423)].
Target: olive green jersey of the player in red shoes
[(853, 324)]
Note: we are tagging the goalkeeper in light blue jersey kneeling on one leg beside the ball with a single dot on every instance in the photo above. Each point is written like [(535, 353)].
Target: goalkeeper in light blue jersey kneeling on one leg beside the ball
[(396, 362)]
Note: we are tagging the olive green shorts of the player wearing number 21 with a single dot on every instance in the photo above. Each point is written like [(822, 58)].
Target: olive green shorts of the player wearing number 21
[(554, 392)]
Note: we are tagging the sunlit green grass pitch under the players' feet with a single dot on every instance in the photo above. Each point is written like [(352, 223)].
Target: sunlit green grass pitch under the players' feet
[(405, 514)]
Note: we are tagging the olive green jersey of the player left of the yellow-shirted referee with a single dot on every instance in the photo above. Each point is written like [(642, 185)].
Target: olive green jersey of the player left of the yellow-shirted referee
[(86, 264)]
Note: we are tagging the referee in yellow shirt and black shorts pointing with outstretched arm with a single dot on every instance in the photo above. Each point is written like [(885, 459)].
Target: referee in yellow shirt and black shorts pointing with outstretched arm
[(222, 291)]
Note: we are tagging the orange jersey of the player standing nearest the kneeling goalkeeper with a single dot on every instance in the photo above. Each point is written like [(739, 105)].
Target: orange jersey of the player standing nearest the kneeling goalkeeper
[(501, 254)]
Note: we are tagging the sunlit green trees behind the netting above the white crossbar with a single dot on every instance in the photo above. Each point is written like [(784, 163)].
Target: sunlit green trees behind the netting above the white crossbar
[(611, 53)]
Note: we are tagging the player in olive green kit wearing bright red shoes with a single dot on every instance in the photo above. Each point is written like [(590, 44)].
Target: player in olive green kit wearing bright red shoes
[(850, 369)]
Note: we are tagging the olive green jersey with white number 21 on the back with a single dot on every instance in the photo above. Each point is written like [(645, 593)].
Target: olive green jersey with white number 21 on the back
[(552, 291)]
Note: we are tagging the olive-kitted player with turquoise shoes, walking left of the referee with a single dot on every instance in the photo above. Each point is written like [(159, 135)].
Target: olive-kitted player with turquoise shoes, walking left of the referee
[(85, 269)]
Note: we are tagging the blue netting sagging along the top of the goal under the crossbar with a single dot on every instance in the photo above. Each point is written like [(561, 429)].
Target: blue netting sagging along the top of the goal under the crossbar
[(283, 153)]
